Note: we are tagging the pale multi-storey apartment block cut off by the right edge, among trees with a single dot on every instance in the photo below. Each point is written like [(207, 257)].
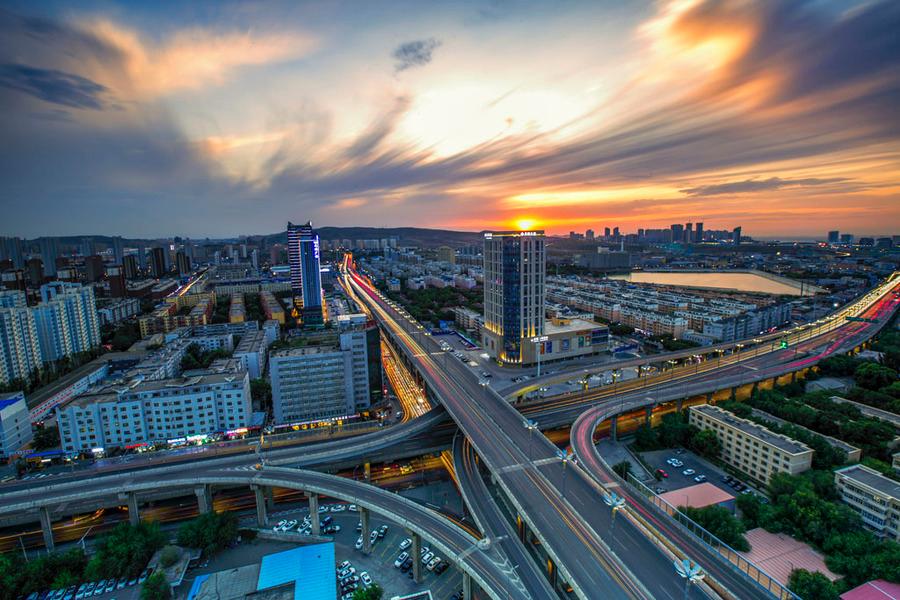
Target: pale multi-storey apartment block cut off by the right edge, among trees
[(875, 497)]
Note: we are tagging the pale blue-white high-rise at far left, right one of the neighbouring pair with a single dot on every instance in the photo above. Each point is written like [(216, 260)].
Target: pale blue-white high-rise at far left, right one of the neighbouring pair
[(66, 320)]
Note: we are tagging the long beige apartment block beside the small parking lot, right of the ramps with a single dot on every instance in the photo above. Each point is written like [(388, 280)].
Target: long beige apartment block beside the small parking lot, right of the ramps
[(751, 448)]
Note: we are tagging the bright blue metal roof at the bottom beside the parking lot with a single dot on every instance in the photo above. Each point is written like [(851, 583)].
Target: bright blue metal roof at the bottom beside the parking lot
[(311, 568)]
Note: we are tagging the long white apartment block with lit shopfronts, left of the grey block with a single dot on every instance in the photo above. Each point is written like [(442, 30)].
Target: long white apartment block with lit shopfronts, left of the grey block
[(156, 411)]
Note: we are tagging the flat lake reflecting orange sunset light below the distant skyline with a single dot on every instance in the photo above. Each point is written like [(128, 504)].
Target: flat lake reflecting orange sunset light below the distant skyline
[(724, 280)]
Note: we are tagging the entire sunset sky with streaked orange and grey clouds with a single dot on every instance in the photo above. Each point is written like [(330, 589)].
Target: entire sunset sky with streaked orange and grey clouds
[(225, 118)]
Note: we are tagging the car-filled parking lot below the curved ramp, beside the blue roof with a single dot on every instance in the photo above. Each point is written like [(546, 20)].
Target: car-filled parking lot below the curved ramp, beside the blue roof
[(379, 565)]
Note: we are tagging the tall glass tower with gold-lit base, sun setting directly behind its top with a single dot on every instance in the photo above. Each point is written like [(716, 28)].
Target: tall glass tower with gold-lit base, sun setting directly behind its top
[(514, 270)]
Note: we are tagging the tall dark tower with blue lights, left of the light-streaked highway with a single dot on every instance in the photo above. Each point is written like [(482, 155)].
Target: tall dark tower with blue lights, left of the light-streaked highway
[(306, 279)]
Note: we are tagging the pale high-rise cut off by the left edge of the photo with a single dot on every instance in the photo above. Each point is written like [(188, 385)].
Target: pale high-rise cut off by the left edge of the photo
[(20, 353)]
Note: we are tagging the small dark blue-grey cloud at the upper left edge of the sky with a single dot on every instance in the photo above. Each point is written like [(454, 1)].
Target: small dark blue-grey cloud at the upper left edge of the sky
[(53, 86)]
